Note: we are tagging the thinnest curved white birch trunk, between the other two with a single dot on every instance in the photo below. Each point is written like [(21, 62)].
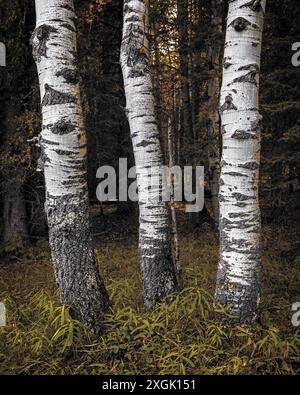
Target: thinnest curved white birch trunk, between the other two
[(157, 268)]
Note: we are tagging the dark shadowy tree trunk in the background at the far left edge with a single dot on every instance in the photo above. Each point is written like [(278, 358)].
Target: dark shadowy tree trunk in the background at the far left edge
[(13, 79)]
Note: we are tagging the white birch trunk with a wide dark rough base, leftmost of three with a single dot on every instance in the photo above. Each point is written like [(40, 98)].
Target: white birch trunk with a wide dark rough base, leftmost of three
[(63, 145)]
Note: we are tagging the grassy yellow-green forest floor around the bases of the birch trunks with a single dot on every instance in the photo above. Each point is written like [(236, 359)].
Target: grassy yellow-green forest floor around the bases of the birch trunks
[(178, 337)]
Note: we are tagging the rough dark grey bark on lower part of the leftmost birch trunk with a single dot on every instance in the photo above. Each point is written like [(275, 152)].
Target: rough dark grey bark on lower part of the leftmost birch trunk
[(76, 269)]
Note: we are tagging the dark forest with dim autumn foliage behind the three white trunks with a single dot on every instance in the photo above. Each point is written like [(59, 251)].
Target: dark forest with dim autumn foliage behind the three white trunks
[(99, 37)]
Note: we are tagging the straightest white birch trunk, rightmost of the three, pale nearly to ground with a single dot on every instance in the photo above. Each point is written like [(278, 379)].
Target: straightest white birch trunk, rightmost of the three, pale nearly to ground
[(238, 282)]
